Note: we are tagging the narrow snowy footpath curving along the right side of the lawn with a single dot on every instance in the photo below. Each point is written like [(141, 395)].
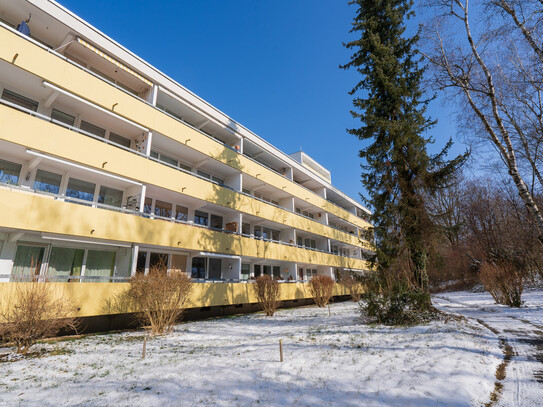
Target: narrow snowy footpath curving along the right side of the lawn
[(521, 381)]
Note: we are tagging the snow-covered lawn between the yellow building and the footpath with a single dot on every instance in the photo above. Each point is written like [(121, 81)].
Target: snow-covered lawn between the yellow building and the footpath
[(329, 361)]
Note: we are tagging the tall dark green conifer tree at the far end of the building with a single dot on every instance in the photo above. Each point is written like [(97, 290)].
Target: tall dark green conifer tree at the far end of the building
[(397, 170)]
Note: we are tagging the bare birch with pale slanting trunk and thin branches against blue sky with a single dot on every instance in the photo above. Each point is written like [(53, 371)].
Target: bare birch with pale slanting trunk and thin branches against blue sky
[(495, 70)]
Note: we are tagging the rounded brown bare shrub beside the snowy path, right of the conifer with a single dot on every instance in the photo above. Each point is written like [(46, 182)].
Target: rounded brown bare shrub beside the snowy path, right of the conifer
[(504, 282)]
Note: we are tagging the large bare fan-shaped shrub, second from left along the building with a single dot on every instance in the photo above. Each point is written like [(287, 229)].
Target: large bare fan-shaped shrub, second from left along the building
[(159, 297)]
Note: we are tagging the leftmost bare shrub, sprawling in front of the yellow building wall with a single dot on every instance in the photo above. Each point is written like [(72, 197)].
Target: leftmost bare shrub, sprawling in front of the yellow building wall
[(32, 311)]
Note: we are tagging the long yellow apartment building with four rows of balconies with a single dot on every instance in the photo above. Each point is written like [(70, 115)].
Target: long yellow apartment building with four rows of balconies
[(108, 167)]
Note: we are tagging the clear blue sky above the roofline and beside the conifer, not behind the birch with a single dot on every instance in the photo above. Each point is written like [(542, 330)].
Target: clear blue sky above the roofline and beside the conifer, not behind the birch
[(270, 65)]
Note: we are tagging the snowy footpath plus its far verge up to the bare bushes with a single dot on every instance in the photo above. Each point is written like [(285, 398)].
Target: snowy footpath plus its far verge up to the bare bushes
[(521, 328)]
